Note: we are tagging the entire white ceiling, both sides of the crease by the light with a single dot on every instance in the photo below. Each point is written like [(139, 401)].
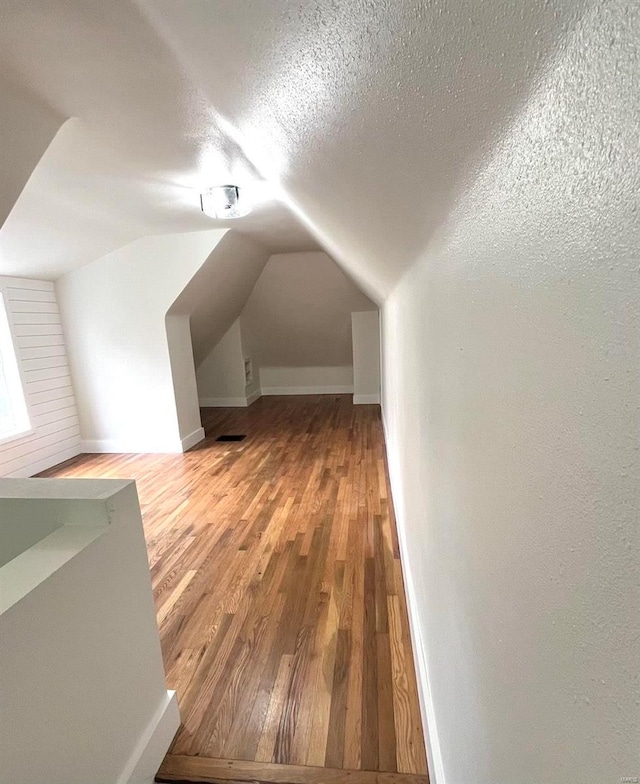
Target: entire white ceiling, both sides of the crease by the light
[(371, 117)]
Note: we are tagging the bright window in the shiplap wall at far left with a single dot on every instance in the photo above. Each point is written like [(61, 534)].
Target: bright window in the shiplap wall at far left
[(14, 417)]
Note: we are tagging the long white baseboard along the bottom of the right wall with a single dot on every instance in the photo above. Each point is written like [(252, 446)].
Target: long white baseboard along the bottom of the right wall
[(425, 698)]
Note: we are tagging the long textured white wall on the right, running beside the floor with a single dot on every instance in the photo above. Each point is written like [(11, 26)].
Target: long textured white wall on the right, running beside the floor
[(511, 368)]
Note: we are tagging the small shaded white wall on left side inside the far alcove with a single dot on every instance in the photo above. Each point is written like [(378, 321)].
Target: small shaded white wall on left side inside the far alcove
[(220, 377)]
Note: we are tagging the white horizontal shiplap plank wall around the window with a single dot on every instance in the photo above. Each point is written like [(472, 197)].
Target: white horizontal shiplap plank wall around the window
[(41, 353)]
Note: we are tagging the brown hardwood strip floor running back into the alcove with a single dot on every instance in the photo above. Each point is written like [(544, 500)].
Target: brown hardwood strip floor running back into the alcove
[(279, 593)]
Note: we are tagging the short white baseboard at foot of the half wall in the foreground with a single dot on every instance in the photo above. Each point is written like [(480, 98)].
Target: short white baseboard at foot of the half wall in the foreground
[(154, 743)]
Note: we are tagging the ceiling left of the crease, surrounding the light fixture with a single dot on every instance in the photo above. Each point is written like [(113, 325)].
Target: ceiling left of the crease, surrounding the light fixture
[(141, 143)]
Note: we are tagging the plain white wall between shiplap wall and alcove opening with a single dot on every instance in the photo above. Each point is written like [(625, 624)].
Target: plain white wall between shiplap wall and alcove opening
[(114, 320)]
